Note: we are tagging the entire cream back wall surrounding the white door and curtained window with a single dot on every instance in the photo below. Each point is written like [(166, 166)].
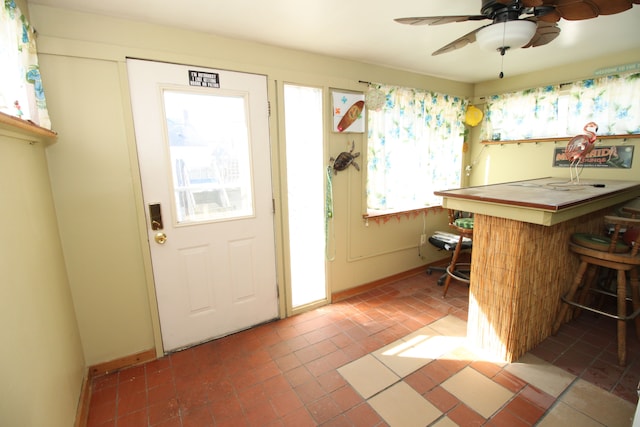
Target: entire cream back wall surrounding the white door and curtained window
[(95, 179)]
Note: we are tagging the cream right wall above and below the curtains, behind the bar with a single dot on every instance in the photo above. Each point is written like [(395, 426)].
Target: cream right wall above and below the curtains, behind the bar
[(512, 162)]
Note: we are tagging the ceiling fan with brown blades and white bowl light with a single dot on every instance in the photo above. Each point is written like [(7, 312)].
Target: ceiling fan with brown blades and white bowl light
[(526, 23)]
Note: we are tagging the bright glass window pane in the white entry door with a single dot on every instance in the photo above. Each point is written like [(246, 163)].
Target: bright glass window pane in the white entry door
[(209, 153)]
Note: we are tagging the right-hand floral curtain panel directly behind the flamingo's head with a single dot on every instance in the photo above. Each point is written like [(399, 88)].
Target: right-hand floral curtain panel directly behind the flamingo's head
[(611, 101)]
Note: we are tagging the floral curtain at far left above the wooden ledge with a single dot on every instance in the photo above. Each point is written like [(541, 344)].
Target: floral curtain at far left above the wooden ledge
[(21, 92)]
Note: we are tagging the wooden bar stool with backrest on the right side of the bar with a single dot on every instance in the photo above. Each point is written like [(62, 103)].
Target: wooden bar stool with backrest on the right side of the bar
[(618, 253)]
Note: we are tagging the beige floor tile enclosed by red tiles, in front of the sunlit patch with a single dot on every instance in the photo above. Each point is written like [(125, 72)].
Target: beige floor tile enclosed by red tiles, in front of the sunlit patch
[(477, 391)]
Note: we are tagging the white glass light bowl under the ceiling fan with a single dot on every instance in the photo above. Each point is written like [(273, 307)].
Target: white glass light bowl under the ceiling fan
[(507, 35)]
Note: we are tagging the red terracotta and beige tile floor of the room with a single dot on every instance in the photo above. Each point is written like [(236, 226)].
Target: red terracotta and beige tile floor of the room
[(393, 356)]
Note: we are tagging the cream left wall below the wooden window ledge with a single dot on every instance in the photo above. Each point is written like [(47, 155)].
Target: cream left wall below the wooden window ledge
[(41, 357)]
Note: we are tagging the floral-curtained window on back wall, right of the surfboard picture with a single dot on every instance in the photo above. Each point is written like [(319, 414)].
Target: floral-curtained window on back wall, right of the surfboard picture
[(414, 148)]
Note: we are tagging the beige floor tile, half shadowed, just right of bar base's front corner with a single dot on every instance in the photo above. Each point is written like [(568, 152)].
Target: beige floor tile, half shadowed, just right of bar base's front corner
[(543, 375)]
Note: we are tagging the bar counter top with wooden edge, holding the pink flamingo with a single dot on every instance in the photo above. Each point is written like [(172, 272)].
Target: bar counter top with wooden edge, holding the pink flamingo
[(544, 201)]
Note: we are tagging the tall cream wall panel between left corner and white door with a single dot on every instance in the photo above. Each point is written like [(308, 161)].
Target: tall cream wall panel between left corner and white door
[(93, 186)]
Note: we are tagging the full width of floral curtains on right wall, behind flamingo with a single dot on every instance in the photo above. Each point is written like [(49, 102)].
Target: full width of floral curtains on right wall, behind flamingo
[(552, 111)]
